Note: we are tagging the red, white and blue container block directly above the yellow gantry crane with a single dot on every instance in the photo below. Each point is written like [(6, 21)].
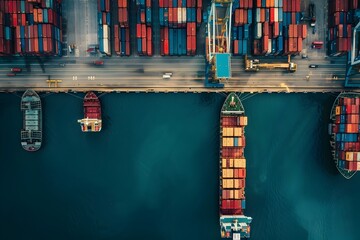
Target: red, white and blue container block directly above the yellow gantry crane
[(276, 27)]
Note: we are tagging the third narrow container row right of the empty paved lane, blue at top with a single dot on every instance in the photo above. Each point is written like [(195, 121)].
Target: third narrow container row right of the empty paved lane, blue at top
[(144, 28)]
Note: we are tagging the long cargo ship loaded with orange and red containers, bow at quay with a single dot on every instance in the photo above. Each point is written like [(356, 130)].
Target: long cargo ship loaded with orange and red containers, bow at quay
[(233, 223)]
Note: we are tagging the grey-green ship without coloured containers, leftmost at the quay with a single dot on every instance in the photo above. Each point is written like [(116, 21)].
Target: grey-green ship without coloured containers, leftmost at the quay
[(31, 133)]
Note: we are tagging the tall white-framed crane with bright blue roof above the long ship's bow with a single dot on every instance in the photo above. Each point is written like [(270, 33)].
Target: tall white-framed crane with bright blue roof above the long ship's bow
[(218, 31)]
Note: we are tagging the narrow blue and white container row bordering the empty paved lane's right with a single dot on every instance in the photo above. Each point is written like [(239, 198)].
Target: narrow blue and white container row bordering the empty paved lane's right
[(104, 26)]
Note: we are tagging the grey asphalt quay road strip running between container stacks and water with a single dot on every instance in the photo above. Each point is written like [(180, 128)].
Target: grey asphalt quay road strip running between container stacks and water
[(188, 72)]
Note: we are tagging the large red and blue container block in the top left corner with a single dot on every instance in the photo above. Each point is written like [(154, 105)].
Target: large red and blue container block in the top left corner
[(31, 28)]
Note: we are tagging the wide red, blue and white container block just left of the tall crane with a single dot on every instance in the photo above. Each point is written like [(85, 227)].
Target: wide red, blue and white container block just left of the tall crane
[(178, 22)]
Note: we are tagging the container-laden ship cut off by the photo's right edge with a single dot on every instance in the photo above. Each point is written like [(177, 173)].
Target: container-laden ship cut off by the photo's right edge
[(345, 134)]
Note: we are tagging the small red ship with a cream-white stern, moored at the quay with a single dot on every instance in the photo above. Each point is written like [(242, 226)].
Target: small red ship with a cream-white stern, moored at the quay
[(92, 114)]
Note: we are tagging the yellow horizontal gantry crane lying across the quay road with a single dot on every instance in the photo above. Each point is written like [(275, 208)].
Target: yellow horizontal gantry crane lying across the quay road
[(254, 65)]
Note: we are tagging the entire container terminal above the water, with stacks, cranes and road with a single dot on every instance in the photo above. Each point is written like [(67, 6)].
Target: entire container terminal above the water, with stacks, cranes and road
[(208, 46)]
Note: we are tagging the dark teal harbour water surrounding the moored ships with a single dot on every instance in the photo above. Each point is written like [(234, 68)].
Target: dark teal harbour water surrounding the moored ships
[(152, 172)]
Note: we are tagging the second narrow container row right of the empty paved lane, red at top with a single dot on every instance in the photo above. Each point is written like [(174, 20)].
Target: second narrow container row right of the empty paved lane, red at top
[(121, 29)]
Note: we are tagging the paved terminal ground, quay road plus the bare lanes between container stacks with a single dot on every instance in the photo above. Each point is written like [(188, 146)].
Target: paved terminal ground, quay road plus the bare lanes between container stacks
[(146, 73)]
